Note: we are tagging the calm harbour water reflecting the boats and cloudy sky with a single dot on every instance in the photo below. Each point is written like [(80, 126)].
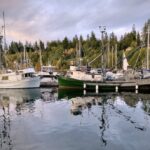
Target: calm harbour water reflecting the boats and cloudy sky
[(43, 119)]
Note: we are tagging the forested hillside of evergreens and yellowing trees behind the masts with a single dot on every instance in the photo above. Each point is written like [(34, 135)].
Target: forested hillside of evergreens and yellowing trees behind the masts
[(63, 53)]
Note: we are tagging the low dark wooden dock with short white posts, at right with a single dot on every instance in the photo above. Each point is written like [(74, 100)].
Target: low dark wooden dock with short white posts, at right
[(139, 85)]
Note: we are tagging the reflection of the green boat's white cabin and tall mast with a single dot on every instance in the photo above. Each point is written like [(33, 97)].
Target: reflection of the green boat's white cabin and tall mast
[(81, 103)]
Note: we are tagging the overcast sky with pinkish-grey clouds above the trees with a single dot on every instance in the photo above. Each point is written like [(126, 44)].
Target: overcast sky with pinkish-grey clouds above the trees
[(31, 20)]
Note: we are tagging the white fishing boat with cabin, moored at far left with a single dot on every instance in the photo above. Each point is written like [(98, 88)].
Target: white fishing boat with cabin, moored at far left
[(24, 78)]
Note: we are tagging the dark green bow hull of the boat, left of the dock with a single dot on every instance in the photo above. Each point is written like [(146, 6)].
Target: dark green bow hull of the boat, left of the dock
[(67, 82)]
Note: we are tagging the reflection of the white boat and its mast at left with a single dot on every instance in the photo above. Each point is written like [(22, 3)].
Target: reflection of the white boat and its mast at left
[(16, 102)]
